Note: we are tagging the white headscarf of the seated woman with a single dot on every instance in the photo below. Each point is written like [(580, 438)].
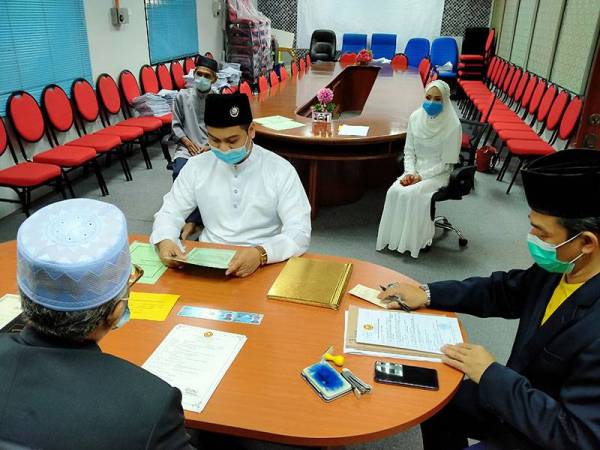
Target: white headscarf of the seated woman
[(440, 130)]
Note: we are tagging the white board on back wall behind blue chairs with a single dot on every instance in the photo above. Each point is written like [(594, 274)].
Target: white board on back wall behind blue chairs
[(405, 18)]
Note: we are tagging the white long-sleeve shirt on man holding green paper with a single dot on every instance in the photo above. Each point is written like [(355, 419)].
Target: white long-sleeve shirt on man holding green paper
[(258, 202)]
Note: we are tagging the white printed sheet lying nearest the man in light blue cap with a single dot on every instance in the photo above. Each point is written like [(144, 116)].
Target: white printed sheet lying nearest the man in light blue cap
[(194, 360)]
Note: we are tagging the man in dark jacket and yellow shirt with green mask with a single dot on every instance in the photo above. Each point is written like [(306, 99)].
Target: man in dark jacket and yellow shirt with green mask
[(548, 394)]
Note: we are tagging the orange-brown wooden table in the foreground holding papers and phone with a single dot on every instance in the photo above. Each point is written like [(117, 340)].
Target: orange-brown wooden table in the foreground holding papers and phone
[(262, 395)]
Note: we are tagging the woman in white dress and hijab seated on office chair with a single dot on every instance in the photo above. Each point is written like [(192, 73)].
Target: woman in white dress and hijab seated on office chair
[(432, 147)]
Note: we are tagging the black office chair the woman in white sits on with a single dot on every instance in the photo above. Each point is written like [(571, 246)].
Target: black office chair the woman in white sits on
[(462, 181)]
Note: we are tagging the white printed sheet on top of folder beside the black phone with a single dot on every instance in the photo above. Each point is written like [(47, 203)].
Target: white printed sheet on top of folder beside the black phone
[(420, 332)]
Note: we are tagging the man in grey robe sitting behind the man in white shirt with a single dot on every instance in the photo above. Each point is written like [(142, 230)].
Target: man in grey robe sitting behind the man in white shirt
[(188, 127)]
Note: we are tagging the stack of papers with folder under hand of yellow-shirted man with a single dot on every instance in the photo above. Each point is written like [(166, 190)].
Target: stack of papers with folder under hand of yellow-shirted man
[(397, 334)]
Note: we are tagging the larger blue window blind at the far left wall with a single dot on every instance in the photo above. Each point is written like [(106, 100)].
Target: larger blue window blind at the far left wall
[(41, 42)]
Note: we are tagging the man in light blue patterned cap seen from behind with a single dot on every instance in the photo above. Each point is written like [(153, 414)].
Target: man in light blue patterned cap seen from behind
[(59, 391)]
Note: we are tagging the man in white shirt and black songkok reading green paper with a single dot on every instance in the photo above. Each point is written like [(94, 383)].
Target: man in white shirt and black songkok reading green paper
[(247, 195)]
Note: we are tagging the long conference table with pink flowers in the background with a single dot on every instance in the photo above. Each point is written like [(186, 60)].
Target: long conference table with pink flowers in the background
[(334, 167)]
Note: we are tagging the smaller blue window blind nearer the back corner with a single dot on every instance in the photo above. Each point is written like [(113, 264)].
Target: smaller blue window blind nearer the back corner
[(172, 29)]
